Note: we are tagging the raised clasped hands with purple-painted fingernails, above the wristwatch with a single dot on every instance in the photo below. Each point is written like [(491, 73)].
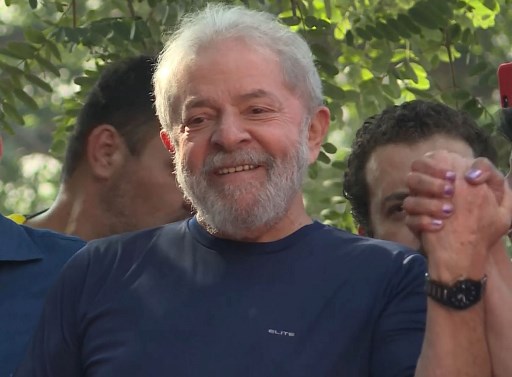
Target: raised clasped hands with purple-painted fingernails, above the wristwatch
[(460, 207)]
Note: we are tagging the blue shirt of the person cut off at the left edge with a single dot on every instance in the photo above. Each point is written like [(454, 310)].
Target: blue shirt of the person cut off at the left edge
[(30, 261)]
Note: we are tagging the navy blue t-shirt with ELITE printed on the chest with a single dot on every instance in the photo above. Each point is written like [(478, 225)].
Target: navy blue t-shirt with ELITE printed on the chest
[(176, 301)]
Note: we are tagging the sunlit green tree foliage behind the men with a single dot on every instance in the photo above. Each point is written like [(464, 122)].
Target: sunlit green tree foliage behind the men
[(370, 54)]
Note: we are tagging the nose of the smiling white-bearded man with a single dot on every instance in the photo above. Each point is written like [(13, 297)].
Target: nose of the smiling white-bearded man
[(230, 132)]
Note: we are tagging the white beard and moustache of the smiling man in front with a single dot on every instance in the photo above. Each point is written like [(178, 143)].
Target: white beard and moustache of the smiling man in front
[(234, 210)]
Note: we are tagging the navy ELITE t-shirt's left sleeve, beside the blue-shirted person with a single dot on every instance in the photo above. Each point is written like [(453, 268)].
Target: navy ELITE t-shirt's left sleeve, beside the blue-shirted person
[(55, 347)]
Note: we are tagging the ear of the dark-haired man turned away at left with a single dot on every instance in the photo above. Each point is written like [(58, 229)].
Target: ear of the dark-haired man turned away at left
[(106, 150)]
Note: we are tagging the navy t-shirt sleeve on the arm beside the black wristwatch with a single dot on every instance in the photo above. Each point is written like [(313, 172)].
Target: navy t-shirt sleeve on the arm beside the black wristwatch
[(401, 327)]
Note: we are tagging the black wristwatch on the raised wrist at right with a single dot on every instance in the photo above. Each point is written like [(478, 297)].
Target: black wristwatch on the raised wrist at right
[(461, 295)]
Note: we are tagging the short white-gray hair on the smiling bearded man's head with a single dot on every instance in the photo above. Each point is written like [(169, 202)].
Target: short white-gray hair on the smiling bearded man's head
[(260, 29)]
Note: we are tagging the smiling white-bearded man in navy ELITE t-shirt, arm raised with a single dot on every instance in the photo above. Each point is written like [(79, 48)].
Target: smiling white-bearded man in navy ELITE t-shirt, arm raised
[(251, 286)]
